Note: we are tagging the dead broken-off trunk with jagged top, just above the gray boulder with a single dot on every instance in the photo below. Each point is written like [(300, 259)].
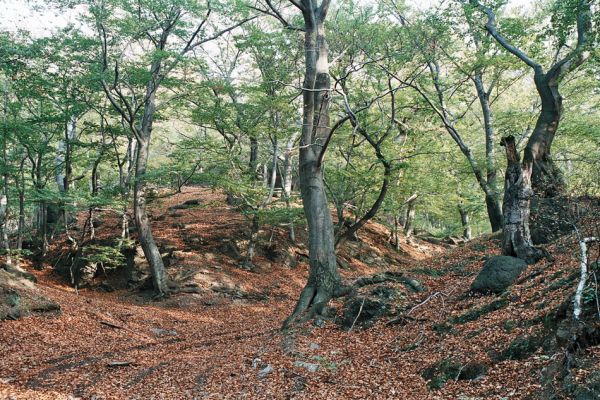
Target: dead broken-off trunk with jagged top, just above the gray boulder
[(517, 198)]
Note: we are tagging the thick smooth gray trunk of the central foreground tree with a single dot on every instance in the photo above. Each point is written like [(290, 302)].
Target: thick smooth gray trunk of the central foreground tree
[(323, 280)]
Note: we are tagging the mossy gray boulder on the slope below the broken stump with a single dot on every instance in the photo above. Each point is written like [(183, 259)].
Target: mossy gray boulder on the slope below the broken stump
[(498, 273)]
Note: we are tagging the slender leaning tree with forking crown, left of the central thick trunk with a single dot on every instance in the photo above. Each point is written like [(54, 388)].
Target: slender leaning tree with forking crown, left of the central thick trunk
[(166, 31)]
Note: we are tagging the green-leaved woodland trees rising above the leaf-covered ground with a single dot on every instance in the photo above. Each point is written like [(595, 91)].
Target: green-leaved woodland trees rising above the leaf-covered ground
[(317, 121)]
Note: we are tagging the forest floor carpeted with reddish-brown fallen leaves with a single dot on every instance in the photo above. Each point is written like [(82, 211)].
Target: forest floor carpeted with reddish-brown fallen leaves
[(224, 342)]
